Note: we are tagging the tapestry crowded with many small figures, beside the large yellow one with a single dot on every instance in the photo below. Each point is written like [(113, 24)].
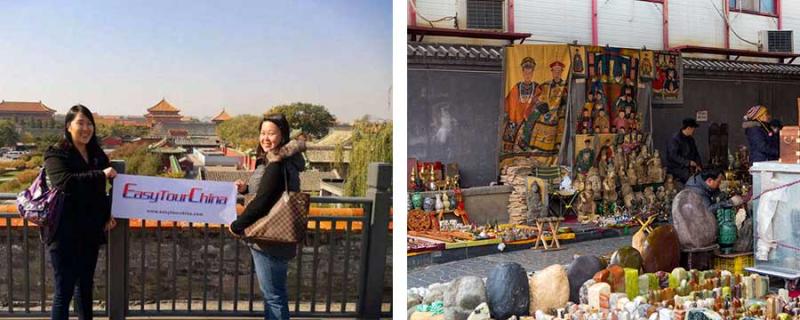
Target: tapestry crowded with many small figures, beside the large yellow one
[(611, 88)]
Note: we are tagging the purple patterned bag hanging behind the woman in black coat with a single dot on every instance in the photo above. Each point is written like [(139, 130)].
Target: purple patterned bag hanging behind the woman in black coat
[(41, 205)]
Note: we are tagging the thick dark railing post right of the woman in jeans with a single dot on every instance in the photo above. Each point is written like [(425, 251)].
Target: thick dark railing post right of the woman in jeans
[(379, 182)]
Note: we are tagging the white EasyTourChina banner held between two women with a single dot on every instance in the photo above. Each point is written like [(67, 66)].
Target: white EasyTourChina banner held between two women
[(153, 198)]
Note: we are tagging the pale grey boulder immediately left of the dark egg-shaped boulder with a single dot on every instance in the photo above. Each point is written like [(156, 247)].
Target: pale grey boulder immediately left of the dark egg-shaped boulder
[(463, 296)]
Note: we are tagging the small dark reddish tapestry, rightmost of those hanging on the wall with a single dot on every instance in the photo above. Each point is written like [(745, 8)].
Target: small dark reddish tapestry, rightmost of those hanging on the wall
[(668, 82)]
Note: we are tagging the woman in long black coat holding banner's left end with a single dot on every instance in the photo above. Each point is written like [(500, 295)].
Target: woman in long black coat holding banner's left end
[(79, 167)]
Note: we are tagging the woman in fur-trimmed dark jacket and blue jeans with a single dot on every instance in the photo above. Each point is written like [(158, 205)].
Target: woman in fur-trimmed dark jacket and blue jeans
[(275, 159)]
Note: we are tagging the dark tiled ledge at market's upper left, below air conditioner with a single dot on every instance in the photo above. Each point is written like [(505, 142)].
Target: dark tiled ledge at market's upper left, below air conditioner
[(454, 51)]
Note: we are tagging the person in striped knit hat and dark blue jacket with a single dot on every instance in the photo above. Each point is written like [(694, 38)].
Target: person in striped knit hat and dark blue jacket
[(763, 139)]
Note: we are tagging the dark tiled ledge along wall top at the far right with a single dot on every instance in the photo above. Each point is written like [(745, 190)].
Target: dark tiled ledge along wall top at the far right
[(740, 66)]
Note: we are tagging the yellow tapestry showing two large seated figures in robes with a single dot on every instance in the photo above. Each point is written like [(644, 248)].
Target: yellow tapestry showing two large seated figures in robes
[(535, 105)]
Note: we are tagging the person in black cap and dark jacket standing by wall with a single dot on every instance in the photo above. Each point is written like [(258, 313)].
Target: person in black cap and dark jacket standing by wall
[(682, 155)]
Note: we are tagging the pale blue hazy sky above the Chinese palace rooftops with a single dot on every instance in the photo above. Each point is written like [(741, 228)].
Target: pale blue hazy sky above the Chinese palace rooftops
[(121, 58)]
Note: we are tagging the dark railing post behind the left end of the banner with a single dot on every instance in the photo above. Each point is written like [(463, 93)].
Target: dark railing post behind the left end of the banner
[(118, 263)]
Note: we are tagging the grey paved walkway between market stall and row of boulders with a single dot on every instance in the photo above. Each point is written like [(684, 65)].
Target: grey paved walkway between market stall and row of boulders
[(531, 260)]
